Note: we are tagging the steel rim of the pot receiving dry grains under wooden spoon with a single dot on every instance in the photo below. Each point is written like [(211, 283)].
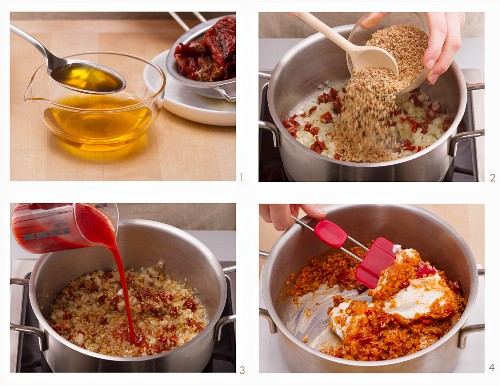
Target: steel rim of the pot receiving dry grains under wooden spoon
[(313, 39)]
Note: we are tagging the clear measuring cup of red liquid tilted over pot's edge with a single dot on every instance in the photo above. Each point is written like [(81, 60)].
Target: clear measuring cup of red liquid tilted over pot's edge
[(43, 228)]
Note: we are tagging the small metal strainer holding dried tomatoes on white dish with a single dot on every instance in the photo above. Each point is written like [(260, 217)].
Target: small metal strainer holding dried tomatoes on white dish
[(223, 89)]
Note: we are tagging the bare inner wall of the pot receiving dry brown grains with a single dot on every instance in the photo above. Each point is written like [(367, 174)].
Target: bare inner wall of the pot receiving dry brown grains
[(316, 60)]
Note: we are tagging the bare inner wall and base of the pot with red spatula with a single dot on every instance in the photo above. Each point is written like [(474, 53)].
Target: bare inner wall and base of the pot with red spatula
[(409, 226)]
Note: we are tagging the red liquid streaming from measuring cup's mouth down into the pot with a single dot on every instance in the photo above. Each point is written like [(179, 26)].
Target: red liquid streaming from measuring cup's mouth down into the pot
[(96, 227)]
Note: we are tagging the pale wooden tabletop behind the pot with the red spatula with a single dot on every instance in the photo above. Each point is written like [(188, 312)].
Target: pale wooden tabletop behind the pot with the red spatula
[(467, 220)]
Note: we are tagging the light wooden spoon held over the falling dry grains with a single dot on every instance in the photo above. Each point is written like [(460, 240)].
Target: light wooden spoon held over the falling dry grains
[(361, 56)]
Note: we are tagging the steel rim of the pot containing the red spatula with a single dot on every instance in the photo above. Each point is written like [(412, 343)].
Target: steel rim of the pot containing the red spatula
[(266, 275)]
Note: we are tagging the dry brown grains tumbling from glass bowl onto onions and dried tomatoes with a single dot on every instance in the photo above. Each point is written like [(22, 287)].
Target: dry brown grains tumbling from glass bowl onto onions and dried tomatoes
[(363, 120)]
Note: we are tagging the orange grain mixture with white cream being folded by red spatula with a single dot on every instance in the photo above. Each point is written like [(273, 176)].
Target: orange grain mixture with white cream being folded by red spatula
[(413, 306)]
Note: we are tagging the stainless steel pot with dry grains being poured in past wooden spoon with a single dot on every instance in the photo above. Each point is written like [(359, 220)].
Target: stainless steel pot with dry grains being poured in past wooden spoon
[(315, 60)]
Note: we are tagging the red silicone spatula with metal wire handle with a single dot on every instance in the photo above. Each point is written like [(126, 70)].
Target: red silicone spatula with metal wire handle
[(378, 257)]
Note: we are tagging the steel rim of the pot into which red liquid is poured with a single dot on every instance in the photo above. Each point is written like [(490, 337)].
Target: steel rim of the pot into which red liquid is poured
[(154, 224)]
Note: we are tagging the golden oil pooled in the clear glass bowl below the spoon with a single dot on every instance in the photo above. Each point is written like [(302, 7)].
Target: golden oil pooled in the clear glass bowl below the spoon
[(102, 122)]
